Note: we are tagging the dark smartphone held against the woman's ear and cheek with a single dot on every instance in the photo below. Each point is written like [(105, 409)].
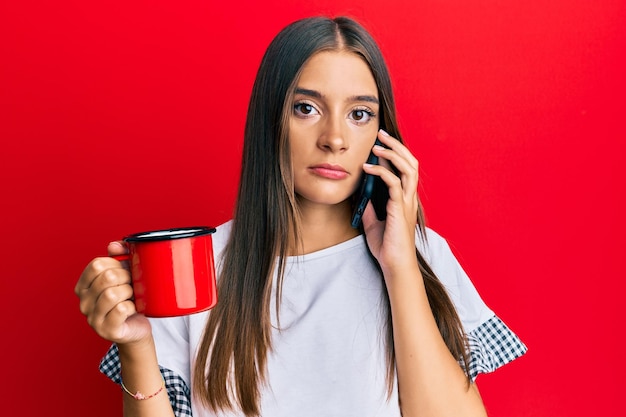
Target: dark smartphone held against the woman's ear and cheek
[(372, 189)]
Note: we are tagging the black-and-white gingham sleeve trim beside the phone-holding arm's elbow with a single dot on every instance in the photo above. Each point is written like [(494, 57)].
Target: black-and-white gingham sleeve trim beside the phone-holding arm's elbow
[(492, 345)]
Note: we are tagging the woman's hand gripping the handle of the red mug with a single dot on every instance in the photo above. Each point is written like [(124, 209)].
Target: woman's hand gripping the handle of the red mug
[(106, 299)]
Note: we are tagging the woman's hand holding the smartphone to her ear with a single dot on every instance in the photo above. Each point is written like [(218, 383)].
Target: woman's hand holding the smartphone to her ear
[(392, 242)]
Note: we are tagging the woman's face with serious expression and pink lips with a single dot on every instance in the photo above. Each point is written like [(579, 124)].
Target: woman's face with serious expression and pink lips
[(332, 127)]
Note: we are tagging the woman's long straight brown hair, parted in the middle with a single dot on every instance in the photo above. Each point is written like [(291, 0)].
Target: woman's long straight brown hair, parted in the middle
[(231, 360)]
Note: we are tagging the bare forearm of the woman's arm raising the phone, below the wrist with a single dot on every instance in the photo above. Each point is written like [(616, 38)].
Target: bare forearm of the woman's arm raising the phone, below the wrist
[(430, 380)]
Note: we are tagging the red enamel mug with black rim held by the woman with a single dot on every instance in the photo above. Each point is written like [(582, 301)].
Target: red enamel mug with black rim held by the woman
[(172, 271)]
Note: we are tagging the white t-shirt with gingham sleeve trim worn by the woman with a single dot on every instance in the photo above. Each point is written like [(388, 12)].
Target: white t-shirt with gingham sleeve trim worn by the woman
[(328, 356)]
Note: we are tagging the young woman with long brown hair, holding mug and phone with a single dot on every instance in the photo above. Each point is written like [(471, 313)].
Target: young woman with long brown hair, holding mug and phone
[(315, 317)]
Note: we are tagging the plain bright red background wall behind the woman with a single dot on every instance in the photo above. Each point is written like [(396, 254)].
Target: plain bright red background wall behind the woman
[(119, 116)]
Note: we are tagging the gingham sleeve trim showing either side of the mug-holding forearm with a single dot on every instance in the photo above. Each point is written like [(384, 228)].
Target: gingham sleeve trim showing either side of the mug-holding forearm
[(177, 389)]
